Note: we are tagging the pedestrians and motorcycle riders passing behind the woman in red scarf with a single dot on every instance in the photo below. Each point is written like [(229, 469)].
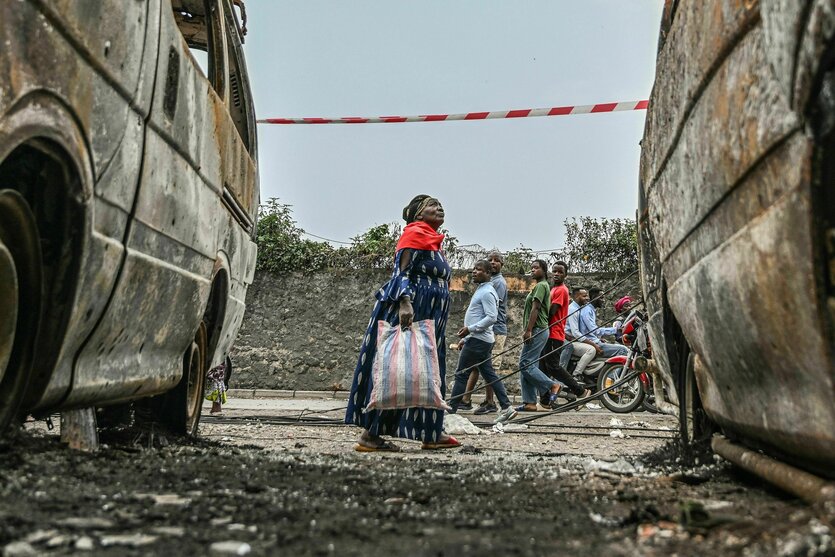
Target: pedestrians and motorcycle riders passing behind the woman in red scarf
[(555, 326)]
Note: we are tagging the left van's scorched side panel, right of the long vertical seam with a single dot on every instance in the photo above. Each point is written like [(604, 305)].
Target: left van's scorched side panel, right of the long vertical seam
[(180, 228)]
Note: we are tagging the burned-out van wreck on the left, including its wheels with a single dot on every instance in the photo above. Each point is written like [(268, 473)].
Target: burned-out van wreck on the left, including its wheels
[(128, 195)]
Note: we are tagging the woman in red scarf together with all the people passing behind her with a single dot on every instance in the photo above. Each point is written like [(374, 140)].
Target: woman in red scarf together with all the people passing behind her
[(418, 289)]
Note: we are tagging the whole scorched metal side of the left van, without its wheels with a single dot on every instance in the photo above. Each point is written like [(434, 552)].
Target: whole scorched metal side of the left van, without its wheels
[(113, 84)]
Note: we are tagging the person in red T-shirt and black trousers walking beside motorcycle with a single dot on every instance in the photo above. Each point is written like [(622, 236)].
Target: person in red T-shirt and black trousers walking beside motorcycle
[(556, 334)]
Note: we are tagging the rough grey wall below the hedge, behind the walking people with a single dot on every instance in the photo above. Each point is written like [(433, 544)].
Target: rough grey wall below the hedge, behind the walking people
[(304, 331)]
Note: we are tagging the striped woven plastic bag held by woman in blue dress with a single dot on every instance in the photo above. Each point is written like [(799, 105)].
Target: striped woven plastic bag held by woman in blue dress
[(405, 371)]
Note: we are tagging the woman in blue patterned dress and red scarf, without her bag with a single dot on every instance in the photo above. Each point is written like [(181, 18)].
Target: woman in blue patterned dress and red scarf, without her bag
[(418, 289)]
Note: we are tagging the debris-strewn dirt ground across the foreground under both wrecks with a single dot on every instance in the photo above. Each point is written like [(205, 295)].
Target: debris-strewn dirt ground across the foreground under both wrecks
[(564, 486)]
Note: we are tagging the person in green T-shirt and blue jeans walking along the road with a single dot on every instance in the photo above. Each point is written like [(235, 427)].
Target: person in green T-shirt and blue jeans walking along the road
[(537, 305)]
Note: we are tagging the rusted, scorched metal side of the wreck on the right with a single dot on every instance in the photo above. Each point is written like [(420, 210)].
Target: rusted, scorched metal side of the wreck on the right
[(729, 229)]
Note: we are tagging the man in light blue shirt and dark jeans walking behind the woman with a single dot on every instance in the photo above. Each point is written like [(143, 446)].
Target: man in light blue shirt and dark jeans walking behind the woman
[(477, 340)]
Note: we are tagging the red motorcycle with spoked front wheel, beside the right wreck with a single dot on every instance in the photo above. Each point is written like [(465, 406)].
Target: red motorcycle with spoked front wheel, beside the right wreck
[(630, 396)]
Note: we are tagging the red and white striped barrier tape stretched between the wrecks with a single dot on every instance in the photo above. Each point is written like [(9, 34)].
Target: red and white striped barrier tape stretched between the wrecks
[(525, 113)]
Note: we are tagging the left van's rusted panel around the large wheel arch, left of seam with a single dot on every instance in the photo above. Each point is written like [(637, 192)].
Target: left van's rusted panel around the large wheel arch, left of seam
[(61, 84)]
